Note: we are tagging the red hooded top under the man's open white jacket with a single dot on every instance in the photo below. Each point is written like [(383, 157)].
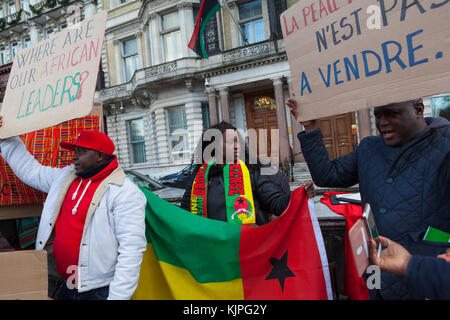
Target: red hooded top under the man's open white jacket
[(69, 227)]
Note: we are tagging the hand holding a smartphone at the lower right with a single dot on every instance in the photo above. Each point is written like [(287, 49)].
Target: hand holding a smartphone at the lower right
[(394, 259)]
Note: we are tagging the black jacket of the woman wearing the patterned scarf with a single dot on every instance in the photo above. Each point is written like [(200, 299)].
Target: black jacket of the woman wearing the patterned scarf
[(271, 194)]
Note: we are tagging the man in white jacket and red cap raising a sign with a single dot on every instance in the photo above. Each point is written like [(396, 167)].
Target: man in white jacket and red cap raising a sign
[(97, 216)]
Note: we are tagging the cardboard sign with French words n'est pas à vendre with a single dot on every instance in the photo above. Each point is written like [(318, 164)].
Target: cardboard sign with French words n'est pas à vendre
[(348, 55)]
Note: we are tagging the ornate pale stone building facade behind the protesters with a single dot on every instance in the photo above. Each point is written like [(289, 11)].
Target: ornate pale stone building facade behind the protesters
[(158, 96)]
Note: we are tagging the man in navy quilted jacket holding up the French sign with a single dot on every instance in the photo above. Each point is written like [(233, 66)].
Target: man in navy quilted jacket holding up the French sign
[(403, 174)]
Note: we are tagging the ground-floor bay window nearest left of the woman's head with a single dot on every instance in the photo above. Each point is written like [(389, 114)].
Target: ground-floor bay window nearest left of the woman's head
[(178, 133)]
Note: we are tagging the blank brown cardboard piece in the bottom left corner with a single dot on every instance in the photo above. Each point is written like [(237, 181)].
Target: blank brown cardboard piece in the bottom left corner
[(23, 275)]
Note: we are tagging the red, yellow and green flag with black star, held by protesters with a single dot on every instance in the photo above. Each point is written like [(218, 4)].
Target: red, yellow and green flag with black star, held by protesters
[(191, 257)]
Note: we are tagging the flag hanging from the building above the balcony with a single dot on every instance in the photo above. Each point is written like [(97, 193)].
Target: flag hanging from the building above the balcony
[(208, 9)]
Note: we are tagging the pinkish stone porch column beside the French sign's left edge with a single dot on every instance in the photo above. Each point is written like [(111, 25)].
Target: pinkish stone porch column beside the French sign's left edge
[(281, 120)]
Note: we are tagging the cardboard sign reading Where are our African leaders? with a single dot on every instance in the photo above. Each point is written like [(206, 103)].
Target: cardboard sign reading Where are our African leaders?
[(54, 80)]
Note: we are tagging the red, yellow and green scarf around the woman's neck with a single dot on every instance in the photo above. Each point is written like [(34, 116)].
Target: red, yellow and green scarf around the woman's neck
[(238, 192)]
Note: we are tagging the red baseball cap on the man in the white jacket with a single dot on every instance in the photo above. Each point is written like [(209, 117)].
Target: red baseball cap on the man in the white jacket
[(93, 140)]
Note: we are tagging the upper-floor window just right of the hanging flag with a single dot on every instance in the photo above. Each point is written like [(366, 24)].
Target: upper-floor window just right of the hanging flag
[(251, 21)]
